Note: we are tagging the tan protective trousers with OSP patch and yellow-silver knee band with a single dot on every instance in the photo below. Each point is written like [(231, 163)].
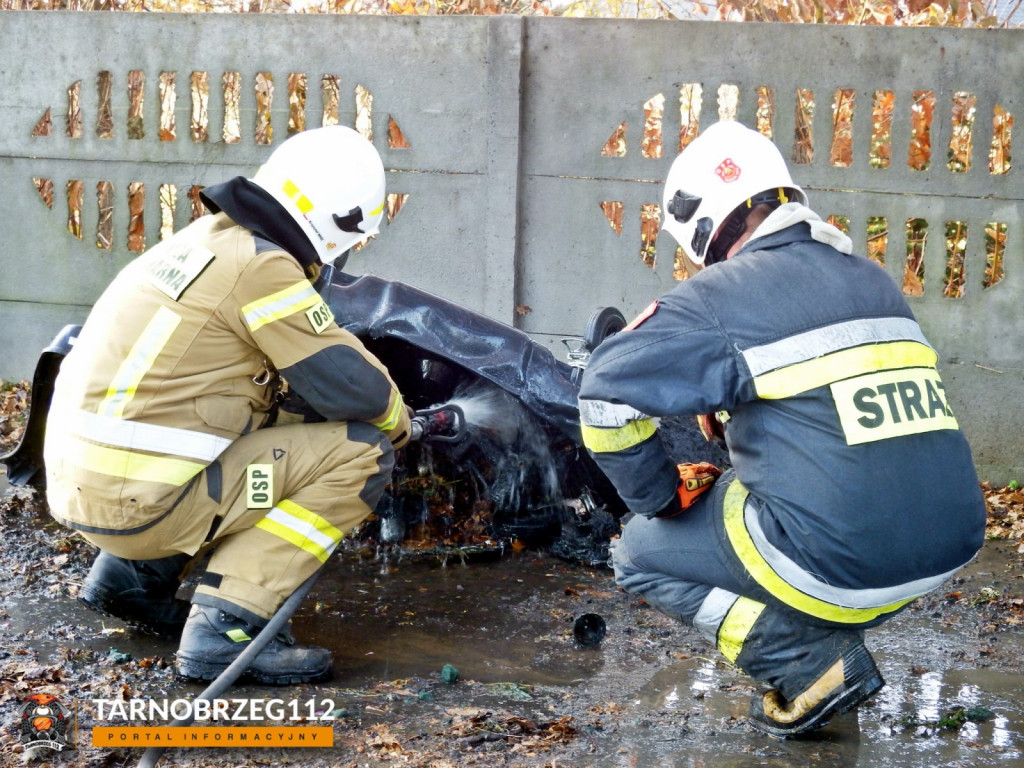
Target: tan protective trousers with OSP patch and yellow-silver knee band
[(273, 507)]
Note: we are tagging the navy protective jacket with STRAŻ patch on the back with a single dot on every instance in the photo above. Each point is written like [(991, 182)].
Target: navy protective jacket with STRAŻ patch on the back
[(838, 422)]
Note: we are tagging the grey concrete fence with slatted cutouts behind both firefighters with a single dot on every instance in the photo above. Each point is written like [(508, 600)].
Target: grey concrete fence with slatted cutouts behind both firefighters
[(526, 160)]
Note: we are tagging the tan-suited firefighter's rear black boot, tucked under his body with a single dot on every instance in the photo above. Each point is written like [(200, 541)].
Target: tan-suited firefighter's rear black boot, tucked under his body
[(139, 592)]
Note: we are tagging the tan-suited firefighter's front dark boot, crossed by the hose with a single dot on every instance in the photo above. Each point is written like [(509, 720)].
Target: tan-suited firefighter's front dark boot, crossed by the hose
[(214, 638)]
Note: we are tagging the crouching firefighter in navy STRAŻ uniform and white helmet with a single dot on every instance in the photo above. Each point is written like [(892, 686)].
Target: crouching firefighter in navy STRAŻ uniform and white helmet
[(852, 490)]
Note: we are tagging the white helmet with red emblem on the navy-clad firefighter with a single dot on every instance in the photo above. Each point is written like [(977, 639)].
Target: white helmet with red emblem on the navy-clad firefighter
[(728, 166)]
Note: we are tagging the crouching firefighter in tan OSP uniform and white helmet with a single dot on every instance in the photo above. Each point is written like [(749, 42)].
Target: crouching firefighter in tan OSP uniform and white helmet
[(154, 450)]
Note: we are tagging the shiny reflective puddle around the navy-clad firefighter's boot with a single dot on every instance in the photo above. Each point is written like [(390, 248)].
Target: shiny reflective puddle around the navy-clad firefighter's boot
[(873, 738)]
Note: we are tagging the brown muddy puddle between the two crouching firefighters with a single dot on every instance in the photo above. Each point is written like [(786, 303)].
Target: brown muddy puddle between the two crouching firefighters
[(484, 619)]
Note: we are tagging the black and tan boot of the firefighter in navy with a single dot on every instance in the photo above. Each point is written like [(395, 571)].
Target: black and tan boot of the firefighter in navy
[(816, 673)]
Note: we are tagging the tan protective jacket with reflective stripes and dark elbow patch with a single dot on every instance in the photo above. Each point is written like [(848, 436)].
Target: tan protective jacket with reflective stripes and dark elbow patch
[(179, 359)]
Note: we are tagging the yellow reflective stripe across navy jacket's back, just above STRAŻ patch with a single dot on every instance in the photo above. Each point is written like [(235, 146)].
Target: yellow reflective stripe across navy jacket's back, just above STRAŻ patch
[(845, 364)]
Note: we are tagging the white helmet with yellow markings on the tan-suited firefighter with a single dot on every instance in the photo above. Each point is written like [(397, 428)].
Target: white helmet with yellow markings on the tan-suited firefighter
[(331, 181)]
